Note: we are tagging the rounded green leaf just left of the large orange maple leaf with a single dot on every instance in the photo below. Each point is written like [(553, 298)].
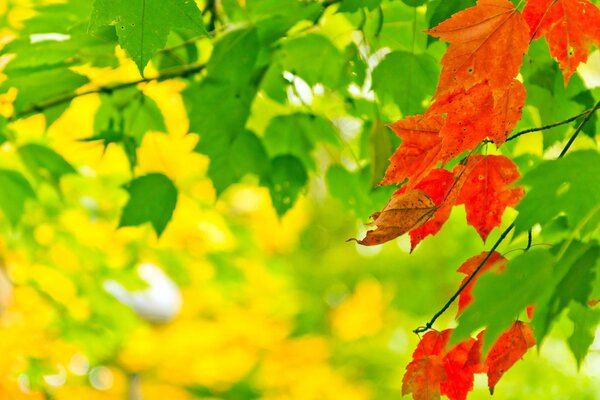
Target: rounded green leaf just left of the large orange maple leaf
[(406, 79)]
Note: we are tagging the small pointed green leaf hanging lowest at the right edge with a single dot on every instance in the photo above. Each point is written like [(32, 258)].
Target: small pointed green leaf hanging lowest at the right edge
[(585, 321)]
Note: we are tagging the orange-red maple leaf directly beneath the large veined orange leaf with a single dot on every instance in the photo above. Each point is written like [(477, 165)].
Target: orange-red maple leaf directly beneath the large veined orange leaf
[(477, 113)]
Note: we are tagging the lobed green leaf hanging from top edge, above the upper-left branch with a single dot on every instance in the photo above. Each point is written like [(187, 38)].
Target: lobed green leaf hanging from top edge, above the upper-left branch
[(143, 25)]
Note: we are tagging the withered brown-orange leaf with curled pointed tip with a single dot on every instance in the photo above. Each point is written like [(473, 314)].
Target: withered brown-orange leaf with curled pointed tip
[(404, 212)]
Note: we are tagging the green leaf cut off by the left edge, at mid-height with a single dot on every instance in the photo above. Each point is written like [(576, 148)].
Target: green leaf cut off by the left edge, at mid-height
[(15, 191)]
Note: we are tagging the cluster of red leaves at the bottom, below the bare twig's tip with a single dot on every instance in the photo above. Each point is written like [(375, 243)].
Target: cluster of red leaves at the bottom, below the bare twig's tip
[(436, 370)]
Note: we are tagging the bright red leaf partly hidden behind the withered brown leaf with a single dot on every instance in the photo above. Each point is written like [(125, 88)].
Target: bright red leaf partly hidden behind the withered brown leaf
[(436, 184)]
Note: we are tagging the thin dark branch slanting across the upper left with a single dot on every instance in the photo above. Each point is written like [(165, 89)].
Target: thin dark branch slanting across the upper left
[(184, 71)]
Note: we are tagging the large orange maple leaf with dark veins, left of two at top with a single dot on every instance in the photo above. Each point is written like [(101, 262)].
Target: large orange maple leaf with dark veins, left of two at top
[(487, 43)]
